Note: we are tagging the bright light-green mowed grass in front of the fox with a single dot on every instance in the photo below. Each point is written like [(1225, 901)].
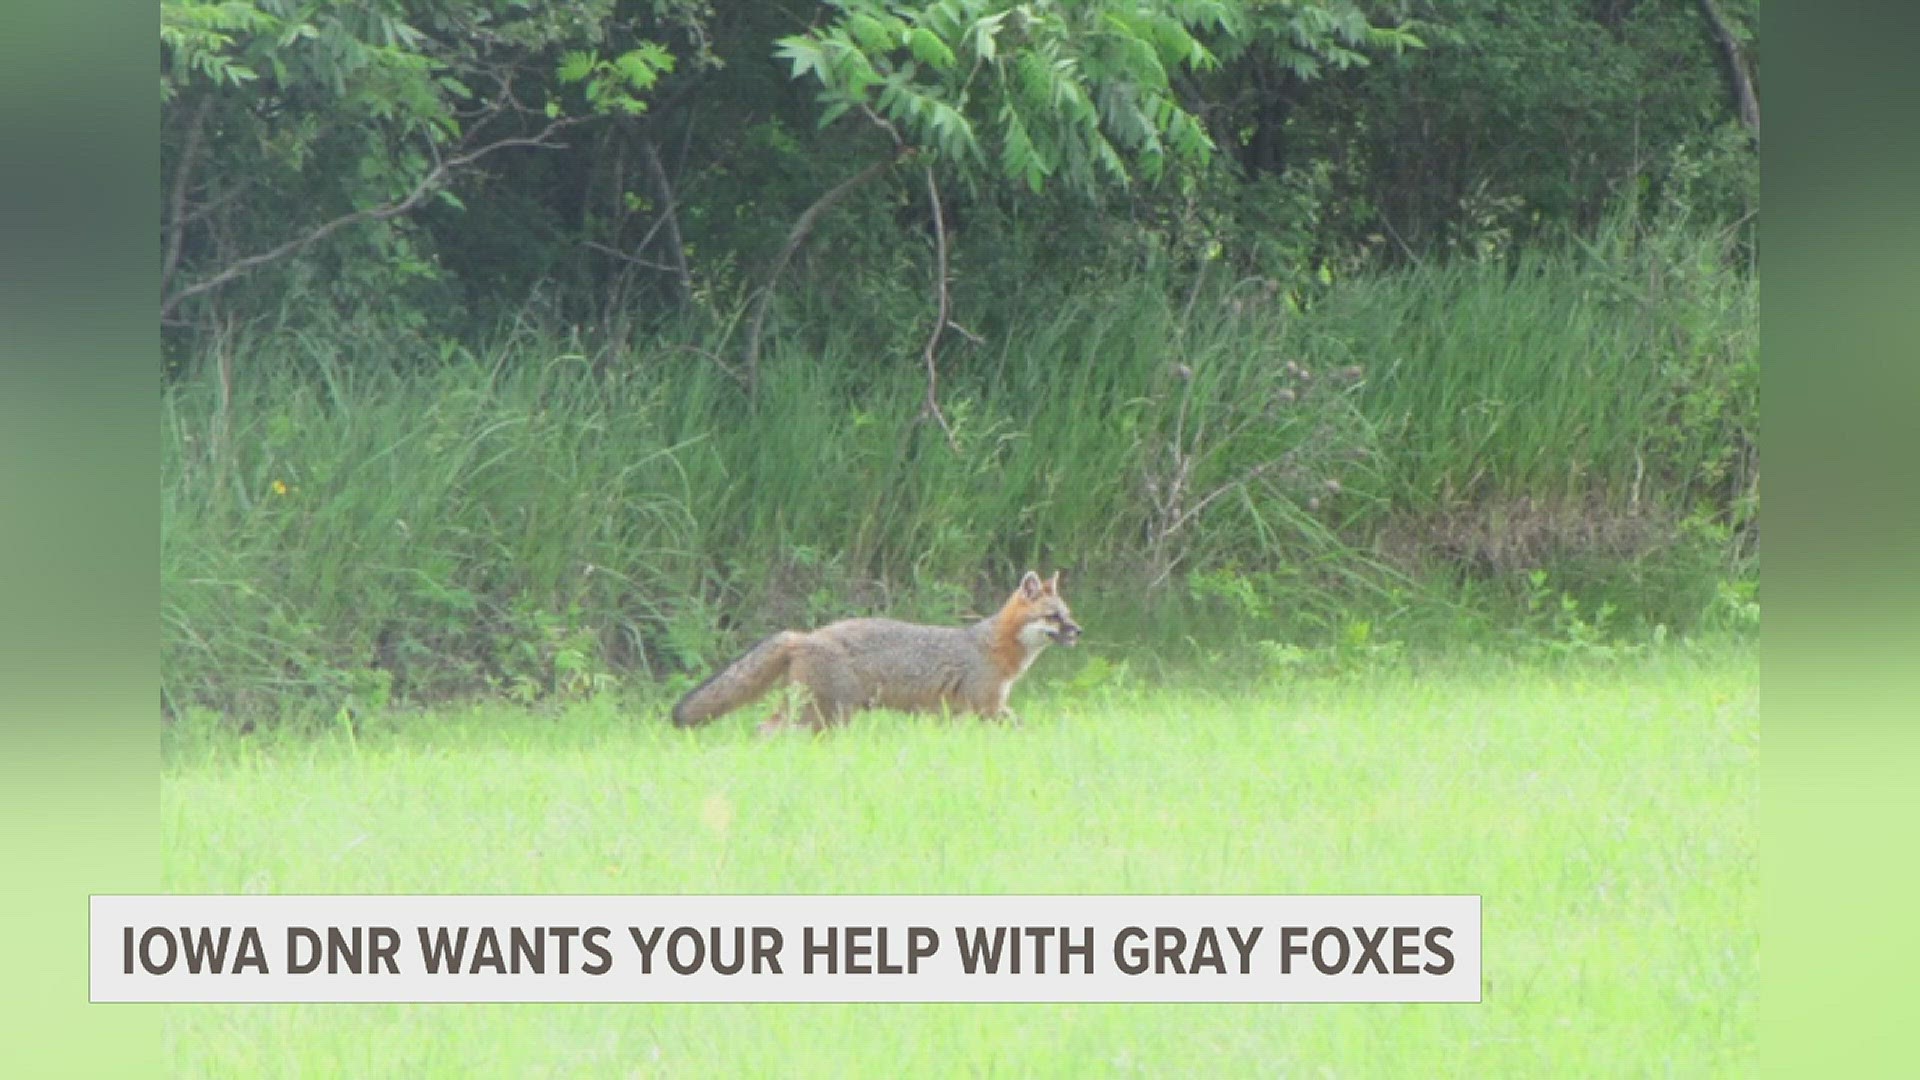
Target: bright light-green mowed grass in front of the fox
[(1606, 812)]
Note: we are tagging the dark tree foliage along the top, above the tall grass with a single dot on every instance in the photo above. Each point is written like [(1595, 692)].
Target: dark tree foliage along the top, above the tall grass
[(1285, 137)]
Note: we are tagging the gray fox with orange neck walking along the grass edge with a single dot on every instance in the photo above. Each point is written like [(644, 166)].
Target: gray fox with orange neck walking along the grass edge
[(867, 664)]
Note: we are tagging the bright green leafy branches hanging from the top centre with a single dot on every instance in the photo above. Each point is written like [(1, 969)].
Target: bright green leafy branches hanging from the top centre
[(1090, 93)]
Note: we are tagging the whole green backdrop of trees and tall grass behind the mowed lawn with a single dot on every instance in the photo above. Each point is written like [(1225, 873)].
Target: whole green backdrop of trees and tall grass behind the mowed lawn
[(1282, 299)]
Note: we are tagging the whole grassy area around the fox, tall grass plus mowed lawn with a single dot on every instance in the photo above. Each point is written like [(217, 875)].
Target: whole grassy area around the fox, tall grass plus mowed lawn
[(1395, 583)]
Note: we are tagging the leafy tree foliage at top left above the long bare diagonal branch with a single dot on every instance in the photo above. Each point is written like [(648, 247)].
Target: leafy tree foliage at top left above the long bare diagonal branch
[(289, 124)]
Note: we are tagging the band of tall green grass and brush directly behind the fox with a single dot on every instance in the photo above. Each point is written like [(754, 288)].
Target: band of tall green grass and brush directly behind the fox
[(1564, 441)]
